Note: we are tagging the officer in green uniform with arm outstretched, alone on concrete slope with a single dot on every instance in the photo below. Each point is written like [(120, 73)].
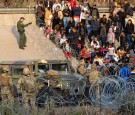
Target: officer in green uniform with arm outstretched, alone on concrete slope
[(21, 30)]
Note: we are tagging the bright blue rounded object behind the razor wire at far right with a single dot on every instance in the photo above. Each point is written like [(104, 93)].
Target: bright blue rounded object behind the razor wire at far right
[(124, 72)]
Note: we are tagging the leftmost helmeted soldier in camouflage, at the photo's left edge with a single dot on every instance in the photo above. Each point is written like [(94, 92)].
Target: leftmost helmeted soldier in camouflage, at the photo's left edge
[(6, 85)]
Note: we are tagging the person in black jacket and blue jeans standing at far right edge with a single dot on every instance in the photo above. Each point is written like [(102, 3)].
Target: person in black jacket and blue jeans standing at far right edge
[(129, 30)]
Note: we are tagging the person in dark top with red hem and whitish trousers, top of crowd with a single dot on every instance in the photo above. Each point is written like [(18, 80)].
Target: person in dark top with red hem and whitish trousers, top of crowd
[(76, 12)]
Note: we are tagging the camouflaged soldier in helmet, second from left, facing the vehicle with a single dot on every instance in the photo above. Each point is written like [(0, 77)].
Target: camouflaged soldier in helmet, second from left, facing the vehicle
[(27, 88)]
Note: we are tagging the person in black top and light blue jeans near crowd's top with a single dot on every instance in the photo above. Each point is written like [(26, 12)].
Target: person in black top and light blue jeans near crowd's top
[(66, 15)]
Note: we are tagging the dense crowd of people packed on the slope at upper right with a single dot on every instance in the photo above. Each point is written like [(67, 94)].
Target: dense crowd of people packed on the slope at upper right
[(78, 27)]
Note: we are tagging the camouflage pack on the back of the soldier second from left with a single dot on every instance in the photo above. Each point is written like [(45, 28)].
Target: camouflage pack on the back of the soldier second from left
[(29, 85)]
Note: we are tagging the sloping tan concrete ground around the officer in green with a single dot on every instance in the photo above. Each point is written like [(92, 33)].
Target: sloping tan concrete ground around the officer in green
[(38, 47)]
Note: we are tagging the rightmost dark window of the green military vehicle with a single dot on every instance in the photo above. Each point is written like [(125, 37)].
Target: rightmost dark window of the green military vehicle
[(60, 67)]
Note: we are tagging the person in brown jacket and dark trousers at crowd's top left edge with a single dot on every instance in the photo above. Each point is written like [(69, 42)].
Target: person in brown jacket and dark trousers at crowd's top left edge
[(41, 12)]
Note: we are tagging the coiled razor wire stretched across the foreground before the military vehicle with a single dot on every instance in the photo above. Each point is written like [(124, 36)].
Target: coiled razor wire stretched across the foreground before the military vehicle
[(110, 93)]
